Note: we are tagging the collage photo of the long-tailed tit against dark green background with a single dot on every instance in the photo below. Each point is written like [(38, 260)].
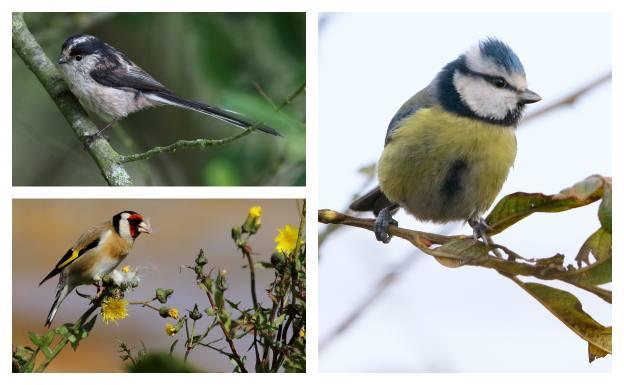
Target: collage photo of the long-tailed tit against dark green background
[(229, 90)]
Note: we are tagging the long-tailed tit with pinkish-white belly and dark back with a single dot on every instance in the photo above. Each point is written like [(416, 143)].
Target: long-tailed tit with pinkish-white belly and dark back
[(111, 85)]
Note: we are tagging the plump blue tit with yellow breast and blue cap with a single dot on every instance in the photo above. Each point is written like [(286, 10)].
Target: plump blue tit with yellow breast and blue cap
[(449, 148)]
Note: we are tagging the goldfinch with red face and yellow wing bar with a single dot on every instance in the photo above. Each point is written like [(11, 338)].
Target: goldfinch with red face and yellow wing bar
[(97, 252)]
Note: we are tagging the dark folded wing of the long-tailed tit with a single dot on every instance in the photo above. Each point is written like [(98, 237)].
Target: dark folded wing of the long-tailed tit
[(128, 78)]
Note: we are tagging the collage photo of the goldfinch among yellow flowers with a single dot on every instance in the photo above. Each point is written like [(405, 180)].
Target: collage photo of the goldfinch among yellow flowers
[(159, 285)]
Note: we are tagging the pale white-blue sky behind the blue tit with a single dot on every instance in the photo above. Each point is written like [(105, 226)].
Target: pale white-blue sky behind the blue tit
[(467, 319)]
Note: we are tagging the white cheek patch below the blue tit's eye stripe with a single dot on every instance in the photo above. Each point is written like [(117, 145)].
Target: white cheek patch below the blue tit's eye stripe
[(483, 98)]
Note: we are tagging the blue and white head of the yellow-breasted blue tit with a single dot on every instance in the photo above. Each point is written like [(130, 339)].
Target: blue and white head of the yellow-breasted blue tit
[(487, 82)]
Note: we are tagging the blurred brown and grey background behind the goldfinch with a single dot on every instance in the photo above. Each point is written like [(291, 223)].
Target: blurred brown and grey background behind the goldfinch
[(43, 230)]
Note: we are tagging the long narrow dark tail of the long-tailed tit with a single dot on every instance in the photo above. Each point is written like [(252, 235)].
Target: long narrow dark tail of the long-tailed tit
[(221, 114)]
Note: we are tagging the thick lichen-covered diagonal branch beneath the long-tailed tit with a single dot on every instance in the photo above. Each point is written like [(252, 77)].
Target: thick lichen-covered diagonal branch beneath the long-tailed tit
[(29, 50)]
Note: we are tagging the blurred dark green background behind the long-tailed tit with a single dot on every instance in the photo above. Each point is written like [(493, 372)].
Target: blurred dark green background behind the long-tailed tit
[(226, 59)]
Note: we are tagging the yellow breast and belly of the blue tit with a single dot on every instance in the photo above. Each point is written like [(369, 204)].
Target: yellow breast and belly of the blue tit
[(442, 167)]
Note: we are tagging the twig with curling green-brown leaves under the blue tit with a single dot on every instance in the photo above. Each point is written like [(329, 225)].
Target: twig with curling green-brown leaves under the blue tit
[(593, 261)]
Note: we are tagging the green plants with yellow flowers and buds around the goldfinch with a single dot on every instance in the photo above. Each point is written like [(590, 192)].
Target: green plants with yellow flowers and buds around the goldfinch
[(273, 330)]
